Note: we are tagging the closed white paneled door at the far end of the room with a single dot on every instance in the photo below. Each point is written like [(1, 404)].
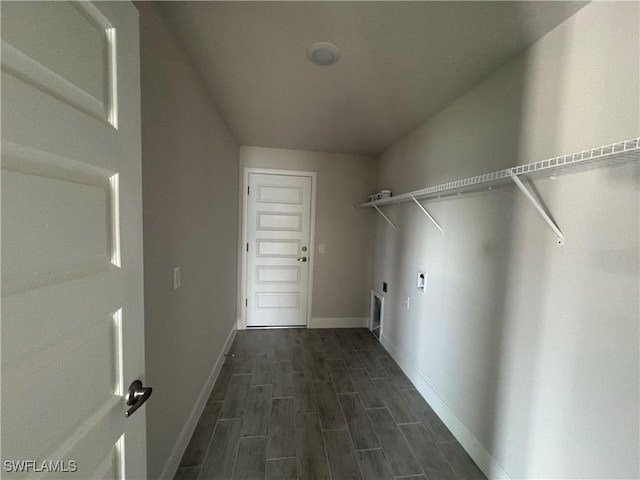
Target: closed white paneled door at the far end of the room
[(278, 249)]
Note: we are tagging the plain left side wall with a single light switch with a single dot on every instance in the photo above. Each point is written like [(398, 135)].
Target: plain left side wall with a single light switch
[(190, 189)]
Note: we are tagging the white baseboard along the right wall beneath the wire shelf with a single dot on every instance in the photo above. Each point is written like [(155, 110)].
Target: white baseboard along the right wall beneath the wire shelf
[(469, 442)]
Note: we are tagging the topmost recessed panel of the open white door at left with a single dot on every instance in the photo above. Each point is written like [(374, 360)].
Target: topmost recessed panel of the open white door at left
[(39, 55)]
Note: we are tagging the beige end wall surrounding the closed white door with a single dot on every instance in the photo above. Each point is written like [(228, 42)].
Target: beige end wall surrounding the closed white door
[(341, 275)]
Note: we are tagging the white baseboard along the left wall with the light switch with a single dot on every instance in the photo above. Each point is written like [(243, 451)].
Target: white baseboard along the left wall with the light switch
[(173, 462)]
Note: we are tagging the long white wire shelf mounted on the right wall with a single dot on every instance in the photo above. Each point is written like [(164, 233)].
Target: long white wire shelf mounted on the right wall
[(619, 153)]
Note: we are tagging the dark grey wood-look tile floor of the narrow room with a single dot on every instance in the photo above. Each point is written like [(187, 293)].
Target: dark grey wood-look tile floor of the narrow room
[(318, 404)]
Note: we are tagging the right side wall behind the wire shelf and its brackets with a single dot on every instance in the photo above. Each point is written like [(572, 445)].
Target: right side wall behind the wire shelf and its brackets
[(529, 350)]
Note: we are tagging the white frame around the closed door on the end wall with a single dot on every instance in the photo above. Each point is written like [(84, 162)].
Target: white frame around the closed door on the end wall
[(242, 270)]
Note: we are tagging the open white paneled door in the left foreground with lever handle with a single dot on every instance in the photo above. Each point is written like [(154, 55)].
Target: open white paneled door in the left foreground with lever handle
[(72, 298)]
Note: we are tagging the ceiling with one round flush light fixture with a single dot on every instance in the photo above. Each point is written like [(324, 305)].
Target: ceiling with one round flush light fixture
[(400, 63)]
